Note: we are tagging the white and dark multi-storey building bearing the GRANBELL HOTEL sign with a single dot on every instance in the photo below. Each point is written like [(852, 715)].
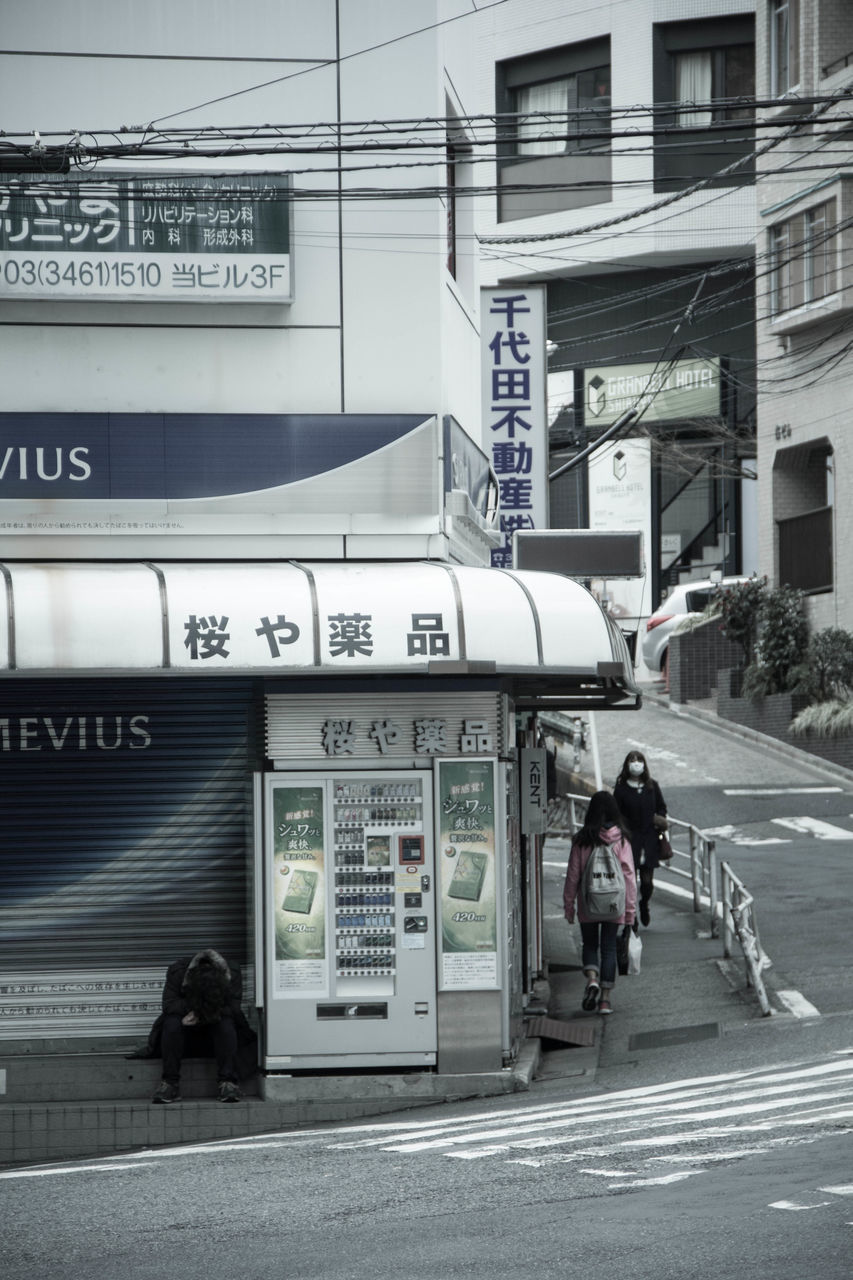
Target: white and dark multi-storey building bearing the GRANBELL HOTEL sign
[(624, 181)]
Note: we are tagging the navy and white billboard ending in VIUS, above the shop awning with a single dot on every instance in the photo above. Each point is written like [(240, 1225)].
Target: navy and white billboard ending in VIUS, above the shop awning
[(149, 482)]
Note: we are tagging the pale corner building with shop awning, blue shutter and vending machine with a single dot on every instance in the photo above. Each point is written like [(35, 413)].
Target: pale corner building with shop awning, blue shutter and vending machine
[(257, 671)]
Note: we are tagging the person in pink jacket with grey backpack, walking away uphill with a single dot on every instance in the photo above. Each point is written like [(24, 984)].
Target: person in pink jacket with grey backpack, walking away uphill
[(603, 833)]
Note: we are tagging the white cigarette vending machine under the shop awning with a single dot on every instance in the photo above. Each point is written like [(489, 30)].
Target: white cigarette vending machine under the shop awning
[(350, 920)]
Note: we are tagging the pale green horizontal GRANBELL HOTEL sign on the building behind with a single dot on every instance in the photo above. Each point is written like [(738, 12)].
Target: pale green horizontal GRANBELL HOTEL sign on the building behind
[(682, 390)]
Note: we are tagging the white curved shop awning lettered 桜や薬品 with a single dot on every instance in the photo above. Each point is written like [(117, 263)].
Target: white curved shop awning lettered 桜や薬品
[(540, 636)]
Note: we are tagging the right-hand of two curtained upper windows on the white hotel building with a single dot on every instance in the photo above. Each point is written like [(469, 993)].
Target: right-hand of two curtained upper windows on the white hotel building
[(711, 76)]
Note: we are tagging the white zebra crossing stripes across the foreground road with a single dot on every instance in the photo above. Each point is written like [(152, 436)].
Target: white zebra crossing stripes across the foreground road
[(733, 1114)]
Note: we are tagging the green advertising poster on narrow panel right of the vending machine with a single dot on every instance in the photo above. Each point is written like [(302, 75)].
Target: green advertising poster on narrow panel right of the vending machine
[(468, 881)]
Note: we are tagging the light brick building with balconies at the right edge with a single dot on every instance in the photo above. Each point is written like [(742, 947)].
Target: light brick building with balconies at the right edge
[(806, 76)]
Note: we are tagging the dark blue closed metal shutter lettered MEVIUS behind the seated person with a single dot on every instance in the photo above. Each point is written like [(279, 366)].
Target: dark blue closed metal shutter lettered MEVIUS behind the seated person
[(126, 819)]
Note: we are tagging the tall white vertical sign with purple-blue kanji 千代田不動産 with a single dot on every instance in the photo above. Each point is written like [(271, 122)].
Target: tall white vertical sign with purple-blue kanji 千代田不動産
[(516, 409)]
